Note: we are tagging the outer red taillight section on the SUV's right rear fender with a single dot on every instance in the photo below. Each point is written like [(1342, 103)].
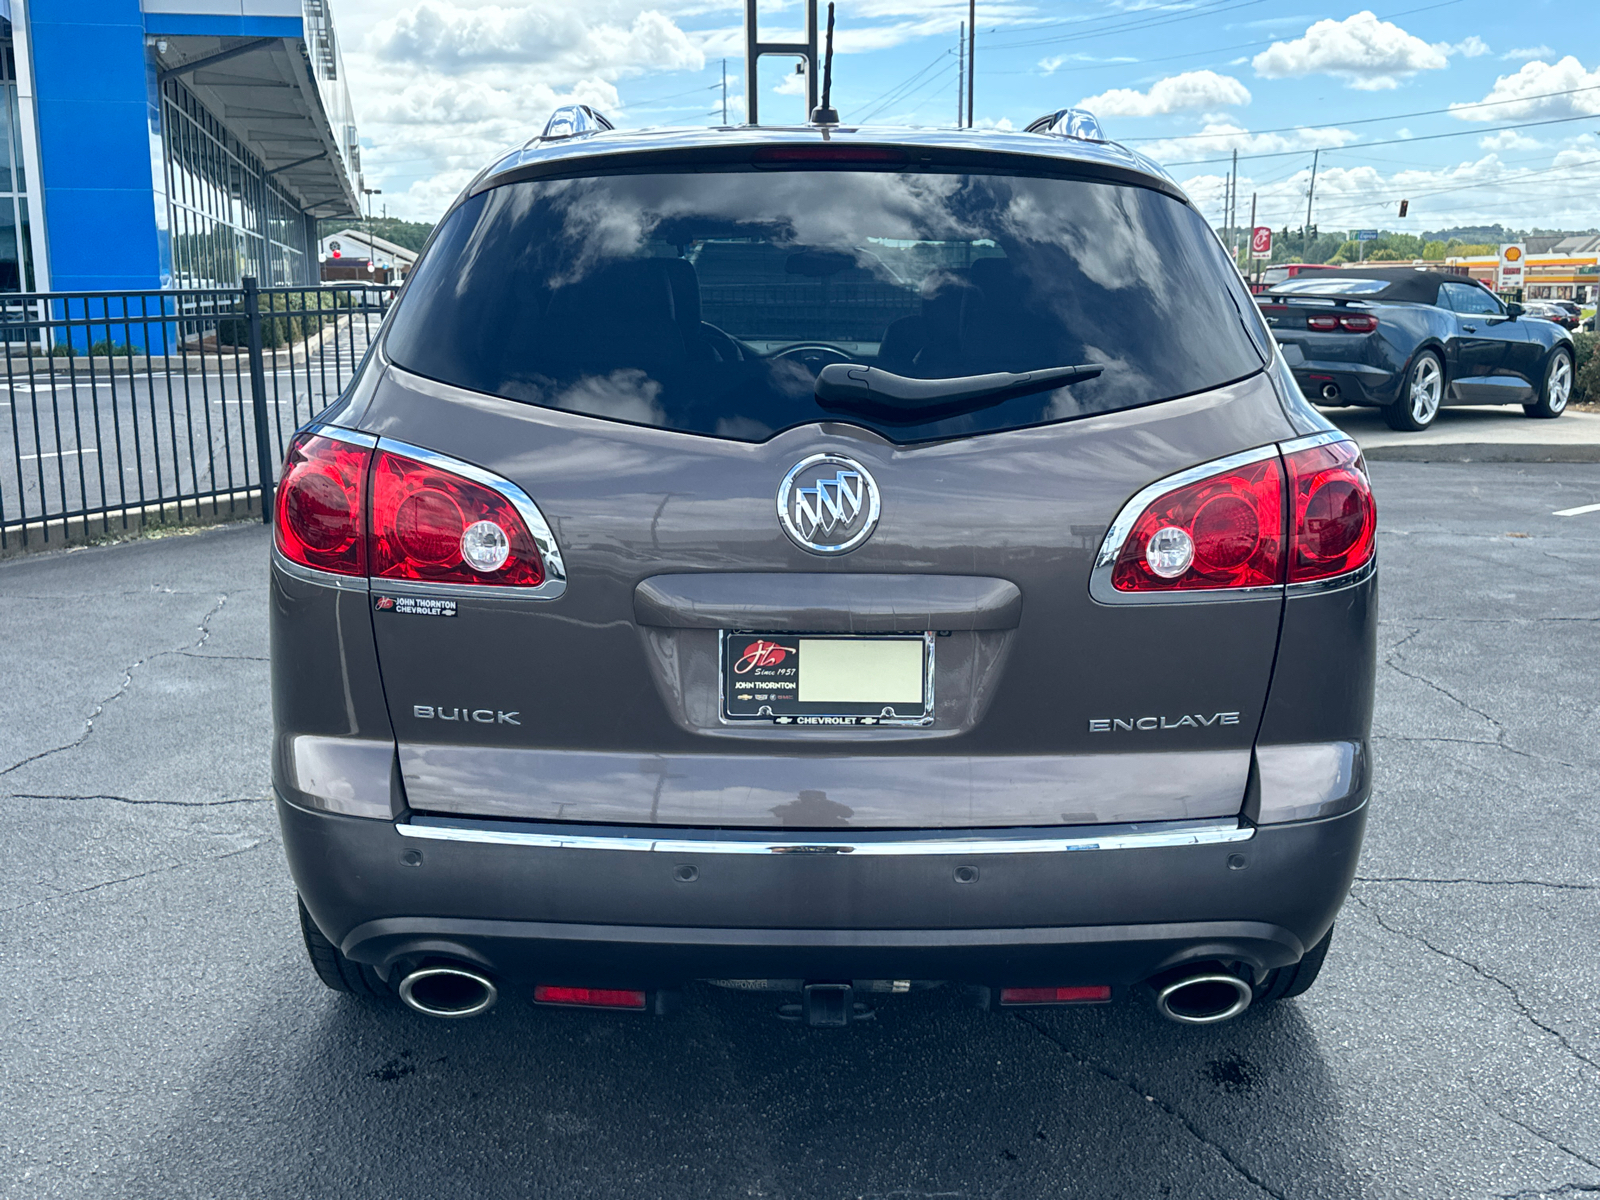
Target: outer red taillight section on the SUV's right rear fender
[(1335, 519)]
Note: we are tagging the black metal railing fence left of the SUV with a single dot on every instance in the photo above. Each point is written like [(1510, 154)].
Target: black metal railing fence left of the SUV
[(129, 409)]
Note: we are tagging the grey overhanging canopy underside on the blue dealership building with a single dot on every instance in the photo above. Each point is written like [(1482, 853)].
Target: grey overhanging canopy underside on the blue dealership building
[(265, 92)]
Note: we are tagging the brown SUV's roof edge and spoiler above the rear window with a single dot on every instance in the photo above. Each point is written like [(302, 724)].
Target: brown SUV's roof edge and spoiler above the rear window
[(580, 153)]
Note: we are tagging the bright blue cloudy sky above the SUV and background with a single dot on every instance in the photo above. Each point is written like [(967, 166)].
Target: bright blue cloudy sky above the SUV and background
[(441, 86)]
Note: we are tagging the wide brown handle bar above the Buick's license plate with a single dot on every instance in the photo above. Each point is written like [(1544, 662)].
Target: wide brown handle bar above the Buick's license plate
[(828, 604)]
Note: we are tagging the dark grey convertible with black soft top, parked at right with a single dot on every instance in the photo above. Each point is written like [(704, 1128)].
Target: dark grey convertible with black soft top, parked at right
[(1409, 342)]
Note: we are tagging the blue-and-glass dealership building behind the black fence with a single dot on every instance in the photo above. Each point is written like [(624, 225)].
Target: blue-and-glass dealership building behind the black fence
[(170, 143)]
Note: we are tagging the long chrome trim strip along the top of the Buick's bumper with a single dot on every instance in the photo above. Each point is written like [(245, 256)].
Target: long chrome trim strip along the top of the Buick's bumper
[(1191, 834)]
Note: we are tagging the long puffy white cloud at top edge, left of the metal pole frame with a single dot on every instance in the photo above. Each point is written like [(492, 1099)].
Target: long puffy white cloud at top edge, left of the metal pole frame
[(537, 38)]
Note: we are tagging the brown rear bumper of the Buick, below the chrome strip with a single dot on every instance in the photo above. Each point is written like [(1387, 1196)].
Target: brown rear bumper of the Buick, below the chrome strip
[(610, 918)]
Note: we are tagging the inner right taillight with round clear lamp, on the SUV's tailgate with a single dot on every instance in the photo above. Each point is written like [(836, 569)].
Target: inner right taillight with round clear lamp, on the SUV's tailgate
[(1222, 532)]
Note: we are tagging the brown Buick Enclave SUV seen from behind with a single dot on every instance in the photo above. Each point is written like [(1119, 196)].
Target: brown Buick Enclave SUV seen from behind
[(657, 607)]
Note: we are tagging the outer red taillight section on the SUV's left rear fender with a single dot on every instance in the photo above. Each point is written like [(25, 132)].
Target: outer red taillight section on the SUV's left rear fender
[(319, 505)]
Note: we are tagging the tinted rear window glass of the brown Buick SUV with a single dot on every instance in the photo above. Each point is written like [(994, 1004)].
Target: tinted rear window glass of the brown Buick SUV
[(708, 303)]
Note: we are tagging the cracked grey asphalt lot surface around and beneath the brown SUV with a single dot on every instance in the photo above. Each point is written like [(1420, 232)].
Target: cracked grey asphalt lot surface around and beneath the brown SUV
[(166, 1036)]
